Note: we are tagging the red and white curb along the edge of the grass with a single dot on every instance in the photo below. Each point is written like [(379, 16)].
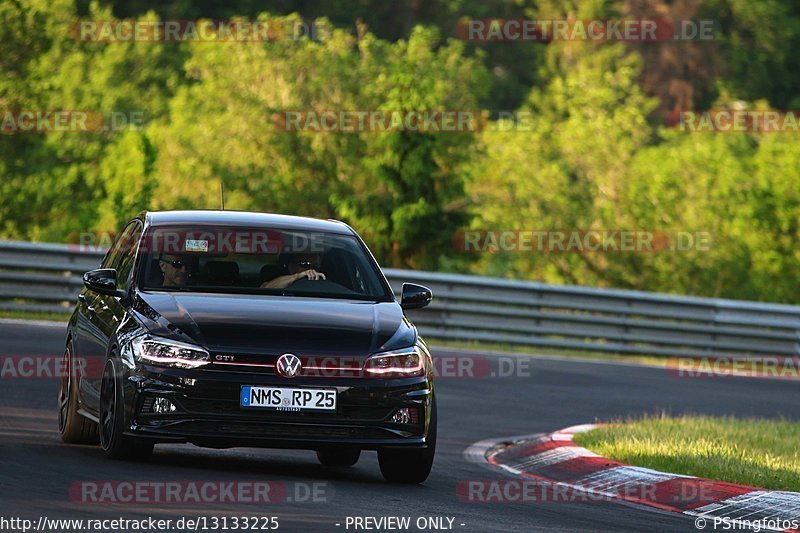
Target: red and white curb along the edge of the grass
[(555, 459)]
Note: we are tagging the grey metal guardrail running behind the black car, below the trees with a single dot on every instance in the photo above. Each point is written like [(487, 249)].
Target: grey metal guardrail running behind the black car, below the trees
[(47, 277)]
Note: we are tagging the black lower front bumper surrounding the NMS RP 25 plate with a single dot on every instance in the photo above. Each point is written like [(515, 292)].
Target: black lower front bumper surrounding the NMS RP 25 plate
[(208, 411)]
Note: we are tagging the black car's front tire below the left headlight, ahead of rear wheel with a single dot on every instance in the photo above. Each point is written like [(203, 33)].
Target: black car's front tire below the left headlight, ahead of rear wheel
[(115, 444)]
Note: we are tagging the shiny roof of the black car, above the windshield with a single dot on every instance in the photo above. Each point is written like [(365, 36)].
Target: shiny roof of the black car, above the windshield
[(244, 218)]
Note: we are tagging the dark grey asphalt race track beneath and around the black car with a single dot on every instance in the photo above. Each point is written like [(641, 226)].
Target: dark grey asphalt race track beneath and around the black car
[(38, 470)]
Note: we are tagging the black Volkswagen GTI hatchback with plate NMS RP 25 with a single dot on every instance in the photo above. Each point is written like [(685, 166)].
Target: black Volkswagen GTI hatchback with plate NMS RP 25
[(224, 329)]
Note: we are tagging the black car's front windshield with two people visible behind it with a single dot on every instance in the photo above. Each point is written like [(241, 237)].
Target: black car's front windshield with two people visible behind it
[(259, 261)]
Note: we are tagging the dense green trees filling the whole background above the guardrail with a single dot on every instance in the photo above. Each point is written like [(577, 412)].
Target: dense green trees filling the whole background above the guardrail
[(594, 154)]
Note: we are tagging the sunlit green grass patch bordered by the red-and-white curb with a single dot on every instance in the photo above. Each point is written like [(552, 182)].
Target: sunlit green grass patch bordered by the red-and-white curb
[(757, 452)]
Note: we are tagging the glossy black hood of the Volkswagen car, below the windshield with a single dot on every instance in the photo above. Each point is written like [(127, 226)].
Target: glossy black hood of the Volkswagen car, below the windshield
[(276, 324)]
